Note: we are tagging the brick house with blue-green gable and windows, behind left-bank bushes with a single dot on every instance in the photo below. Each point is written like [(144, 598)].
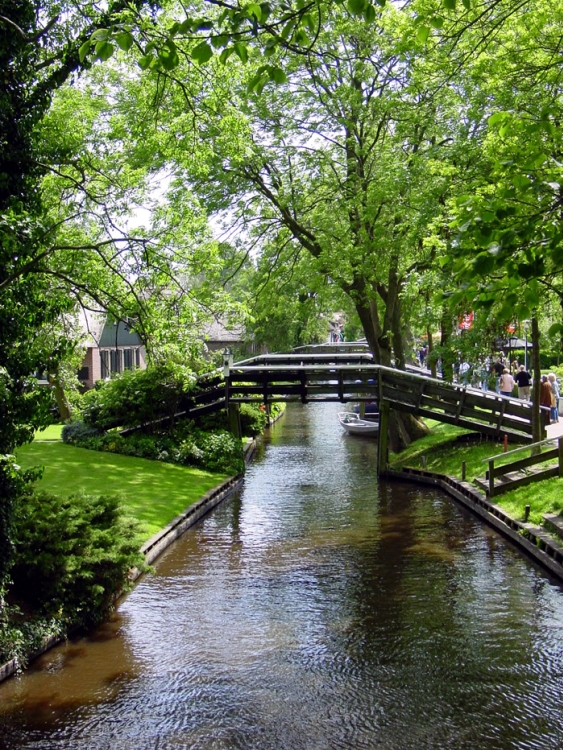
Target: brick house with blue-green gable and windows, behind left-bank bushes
[(111, 347)]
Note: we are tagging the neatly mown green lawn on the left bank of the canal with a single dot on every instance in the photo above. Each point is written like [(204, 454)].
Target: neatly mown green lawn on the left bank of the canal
[(154, 492)]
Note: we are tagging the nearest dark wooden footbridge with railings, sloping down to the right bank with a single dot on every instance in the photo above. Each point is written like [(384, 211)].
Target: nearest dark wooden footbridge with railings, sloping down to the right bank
[(352, 376)]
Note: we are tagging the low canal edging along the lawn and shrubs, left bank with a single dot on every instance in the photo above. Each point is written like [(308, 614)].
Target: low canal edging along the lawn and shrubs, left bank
[(156, 545)]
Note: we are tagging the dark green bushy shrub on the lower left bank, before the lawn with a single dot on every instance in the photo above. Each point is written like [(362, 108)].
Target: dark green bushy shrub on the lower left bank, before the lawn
[(73, 555)]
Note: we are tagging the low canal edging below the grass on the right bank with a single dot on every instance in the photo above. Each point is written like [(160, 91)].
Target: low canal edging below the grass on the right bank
[(533, 540)]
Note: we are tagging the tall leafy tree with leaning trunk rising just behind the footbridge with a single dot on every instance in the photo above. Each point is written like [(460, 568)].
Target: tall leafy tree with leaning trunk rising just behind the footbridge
[(336, 163)]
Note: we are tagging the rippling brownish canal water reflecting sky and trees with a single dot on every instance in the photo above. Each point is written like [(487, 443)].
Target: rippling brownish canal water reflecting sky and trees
[(314, 610)]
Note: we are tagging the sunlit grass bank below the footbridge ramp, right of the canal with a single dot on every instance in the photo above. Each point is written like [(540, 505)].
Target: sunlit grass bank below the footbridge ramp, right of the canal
[(444, 453)]
